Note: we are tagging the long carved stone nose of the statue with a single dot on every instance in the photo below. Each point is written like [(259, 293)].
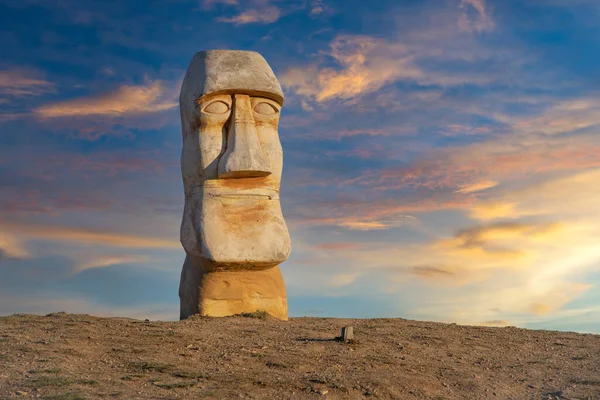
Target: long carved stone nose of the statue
[(243, 157)]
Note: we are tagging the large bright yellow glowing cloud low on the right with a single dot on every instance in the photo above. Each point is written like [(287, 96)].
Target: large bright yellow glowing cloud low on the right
[(529, 265)]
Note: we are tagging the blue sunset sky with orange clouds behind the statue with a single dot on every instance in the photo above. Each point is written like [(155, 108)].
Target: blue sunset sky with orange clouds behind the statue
[(441, 157)]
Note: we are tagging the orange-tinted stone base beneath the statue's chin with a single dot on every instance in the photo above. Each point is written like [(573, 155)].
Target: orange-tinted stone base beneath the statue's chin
[(223, 293)]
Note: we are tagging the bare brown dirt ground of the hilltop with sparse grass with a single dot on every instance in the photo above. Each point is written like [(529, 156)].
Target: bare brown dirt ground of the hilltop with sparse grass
[(65, 356)]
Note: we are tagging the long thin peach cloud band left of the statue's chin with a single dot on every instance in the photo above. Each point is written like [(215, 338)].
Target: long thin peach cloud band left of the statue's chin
[(54, 233)]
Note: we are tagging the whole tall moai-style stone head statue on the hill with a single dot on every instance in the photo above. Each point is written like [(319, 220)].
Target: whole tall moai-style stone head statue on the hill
[(233, 231)]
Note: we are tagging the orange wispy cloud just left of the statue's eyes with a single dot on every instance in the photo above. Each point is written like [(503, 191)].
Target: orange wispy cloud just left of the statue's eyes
[(148, 98)]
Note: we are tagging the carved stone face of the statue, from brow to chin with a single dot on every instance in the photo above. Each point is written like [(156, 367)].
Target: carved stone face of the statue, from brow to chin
[(231, 165)]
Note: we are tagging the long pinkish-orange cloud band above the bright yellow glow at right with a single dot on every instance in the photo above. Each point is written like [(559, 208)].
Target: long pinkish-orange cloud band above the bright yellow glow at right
[(517, 153)]
